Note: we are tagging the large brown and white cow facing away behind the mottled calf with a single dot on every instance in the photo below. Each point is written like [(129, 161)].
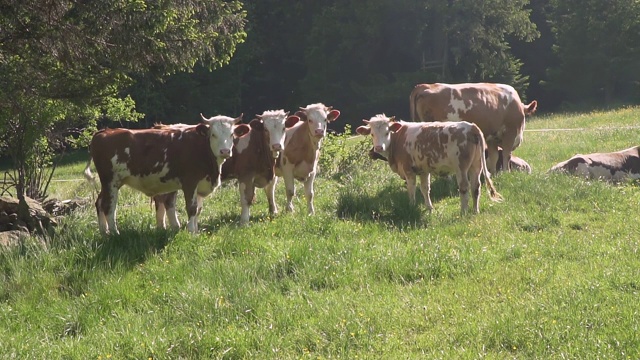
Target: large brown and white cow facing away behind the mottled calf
[(495, 108)]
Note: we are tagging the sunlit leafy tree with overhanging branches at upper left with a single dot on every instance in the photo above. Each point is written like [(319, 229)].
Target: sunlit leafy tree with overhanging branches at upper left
[(63, 59)]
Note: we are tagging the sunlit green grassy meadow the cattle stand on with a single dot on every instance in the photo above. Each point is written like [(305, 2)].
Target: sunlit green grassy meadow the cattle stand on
[(551, 272)]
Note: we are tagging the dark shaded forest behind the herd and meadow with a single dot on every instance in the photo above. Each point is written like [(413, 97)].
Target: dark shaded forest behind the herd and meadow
[(364, 57)]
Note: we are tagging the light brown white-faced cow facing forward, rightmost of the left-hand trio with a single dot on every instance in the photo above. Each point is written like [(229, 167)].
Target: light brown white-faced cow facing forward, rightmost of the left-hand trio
[(299, 160)]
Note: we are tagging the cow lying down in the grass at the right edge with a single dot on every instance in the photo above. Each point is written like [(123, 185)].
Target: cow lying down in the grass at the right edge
[(613, 166)]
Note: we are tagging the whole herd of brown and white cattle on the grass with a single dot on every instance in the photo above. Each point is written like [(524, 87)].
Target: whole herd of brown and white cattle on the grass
[(469, 130)]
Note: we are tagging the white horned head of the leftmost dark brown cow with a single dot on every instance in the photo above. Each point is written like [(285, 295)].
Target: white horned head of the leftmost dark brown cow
[(220, 131)]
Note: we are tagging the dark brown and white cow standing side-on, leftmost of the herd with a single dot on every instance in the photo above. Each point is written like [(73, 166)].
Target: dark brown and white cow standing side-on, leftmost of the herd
[(157, 161)]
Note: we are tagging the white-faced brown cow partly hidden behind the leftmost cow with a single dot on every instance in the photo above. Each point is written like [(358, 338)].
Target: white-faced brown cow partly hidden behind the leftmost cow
[(252, 163)]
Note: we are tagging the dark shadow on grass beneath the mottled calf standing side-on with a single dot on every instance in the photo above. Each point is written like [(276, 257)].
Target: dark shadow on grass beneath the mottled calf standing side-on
[(391, 204)]
